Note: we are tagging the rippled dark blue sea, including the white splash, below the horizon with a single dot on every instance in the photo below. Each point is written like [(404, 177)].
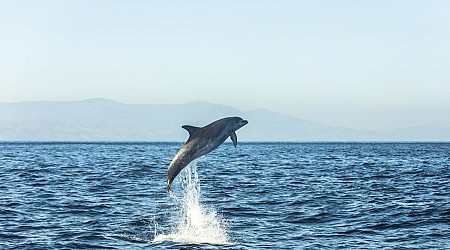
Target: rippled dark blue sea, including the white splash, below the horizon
[(258, 195)]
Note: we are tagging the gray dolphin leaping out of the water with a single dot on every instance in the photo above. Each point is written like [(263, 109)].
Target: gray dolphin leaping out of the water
[(202, 141)]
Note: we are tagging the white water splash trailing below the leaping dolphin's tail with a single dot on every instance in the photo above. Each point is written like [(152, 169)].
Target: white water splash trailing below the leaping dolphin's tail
[(193, 222)]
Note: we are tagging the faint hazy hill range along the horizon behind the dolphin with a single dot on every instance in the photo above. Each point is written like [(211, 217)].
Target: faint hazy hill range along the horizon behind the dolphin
[(106, 120)]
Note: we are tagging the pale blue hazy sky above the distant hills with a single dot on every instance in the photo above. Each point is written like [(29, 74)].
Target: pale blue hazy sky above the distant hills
[(361, 64)]
